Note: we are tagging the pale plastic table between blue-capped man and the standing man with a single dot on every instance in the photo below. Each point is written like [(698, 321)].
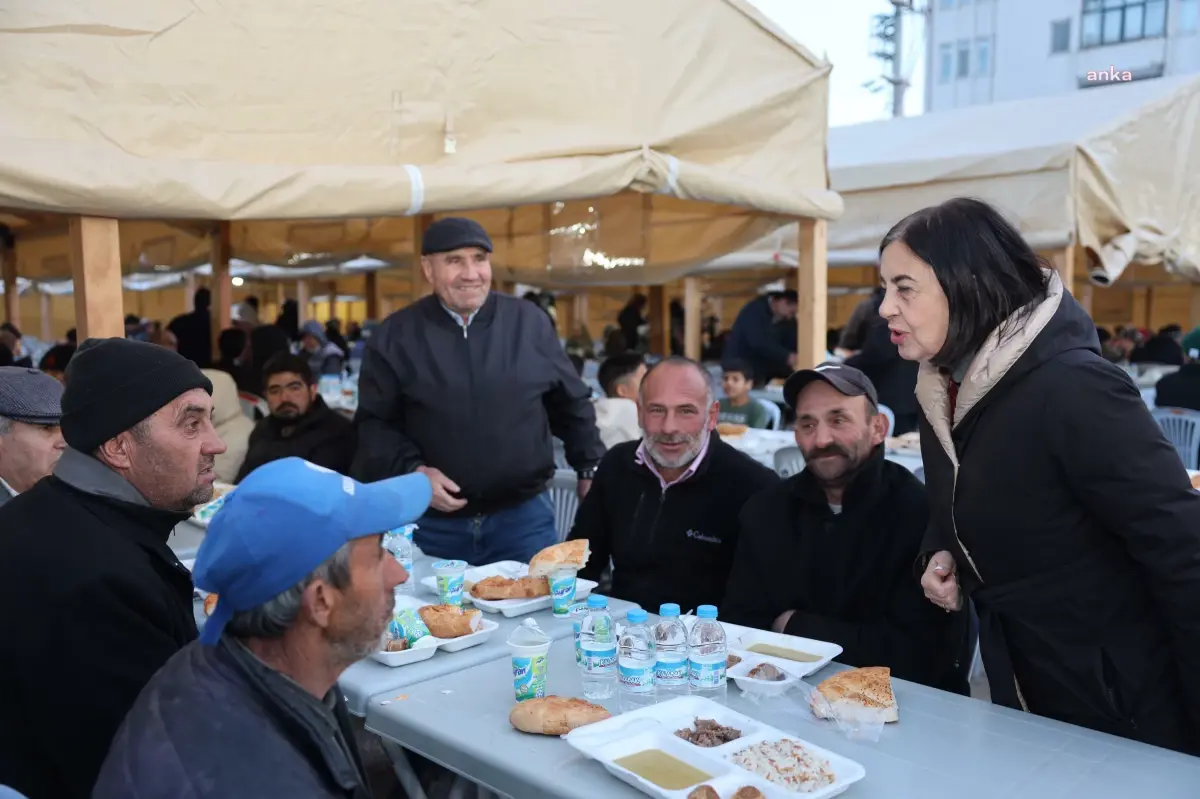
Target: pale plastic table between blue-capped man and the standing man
[(369, 678)]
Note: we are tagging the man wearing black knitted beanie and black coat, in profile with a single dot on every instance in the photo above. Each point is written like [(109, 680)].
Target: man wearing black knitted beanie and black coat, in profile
[(85, 564)]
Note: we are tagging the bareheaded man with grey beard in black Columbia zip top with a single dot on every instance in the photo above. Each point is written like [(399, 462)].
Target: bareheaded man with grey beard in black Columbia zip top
[(665, 509)]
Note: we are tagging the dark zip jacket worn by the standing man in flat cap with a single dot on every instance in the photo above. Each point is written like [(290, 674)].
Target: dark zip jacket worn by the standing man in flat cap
[(479, 402)]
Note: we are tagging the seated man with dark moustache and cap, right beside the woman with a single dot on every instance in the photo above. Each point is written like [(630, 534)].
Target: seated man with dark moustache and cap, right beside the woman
[(829, 554)]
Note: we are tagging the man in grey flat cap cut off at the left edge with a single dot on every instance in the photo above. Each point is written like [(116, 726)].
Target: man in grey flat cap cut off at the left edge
[(31, 442)]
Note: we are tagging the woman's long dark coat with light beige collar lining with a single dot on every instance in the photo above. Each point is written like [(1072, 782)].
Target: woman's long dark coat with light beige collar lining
[(1075, 530)]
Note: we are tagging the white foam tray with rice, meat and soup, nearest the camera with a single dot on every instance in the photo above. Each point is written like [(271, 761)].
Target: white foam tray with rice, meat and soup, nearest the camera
[(655, 728)]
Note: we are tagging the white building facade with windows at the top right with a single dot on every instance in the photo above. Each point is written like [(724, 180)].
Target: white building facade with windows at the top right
[(995, 51)]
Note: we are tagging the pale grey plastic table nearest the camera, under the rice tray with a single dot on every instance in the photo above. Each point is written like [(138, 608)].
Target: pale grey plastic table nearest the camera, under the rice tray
[(943, 746)]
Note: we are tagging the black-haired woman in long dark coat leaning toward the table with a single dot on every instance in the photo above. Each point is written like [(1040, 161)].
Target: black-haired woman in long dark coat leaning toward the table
[(1057, 504)]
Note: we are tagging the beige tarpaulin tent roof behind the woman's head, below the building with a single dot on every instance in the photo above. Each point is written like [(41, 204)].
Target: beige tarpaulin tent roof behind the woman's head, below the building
[(1119, 166)]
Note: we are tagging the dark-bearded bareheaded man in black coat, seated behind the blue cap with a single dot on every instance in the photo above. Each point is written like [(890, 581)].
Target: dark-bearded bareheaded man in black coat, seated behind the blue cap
[(301, 425)]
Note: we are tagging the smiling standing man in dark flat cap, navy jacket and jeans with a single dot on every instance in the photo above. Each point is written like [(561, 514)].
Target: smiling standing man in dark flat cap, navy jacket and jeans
[(469, 387)]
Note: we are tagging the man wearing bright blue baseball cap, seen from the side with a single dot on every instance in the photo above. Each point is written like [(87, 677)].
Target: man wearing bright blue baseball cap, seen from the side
[(305, 590)]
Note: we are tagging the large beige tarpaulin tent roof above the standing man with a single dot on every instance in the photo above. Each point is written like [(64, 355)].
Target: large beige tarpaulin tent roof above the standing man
[(615, 141)]
